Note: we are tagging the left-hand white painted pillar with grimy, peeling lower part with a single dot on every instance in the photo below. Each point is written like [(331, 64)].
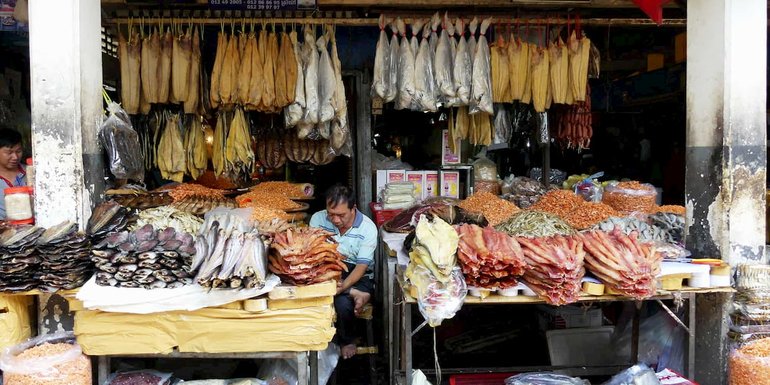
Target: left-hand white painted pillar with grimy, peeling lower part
[(66, 80)]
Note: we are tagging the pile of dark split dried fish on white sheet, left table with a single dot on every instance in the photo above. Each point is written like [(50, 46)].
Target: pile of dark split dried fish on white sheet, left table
[(146, 258)]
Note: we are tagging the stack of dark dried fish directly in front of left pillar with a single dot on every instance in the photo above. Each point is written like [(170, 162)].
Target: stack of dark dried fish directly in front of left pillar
[(64, 264)]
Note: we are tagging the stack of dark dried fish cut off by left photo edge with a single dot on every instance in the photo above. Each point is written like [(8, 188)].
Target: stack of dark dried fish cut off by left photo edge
[(18, 258)]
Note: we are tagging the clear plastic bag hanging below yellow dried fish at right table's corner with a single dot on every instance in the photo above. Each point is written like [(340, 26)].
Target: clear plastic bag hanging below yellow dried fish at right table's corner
[(438, 301)]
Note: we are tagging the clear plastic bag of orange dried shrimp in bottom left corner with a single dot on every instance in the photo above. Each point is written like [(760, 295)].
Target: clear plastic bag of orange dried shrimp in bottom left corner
[(57, 359)]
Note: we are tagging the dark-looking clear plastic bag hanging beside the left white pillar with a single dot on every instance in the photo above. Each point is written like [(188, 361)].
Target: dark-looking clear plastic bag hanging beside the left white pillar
[(121, 142)]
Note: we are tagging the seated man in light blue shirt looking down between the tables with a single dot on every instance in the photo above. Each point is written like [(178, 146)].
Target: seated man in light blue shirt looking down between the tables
[(357, 238)]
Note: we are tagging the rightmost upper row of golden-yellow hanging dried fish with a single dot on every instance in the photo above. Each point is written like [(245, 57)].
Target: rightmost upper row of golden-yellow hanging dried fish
[(542, 75)]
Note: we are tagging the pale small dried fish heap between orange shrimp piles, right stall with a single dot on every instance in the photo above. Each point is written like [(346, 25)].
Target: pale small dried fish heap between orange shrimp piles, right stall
[(535, 224)]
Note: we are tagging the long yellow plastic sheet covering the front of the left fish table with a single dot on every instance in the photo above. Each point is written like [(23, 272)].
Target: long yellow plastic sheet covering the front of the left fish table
[(209, 330)]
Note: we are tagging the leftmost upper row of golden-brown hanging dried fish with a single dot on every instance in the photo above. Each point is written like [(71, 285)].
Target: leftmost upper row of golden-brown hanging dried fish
[(158, 67)]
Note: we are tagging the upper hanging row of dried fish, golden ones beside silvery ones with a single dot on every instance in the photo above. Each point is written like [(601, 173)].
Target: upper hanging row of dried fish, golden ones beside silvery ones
[(274, 72)]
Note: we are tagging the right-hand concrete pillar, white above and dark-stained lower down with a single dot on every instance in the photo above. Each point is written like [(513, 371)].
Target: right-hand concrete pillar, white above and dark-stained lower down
[(726, 153)]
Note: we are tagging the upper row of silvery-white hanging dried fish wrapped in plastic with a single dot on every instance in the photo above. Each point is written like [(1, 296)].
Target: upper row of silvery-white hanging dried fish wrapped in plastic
[(441, 69)]
